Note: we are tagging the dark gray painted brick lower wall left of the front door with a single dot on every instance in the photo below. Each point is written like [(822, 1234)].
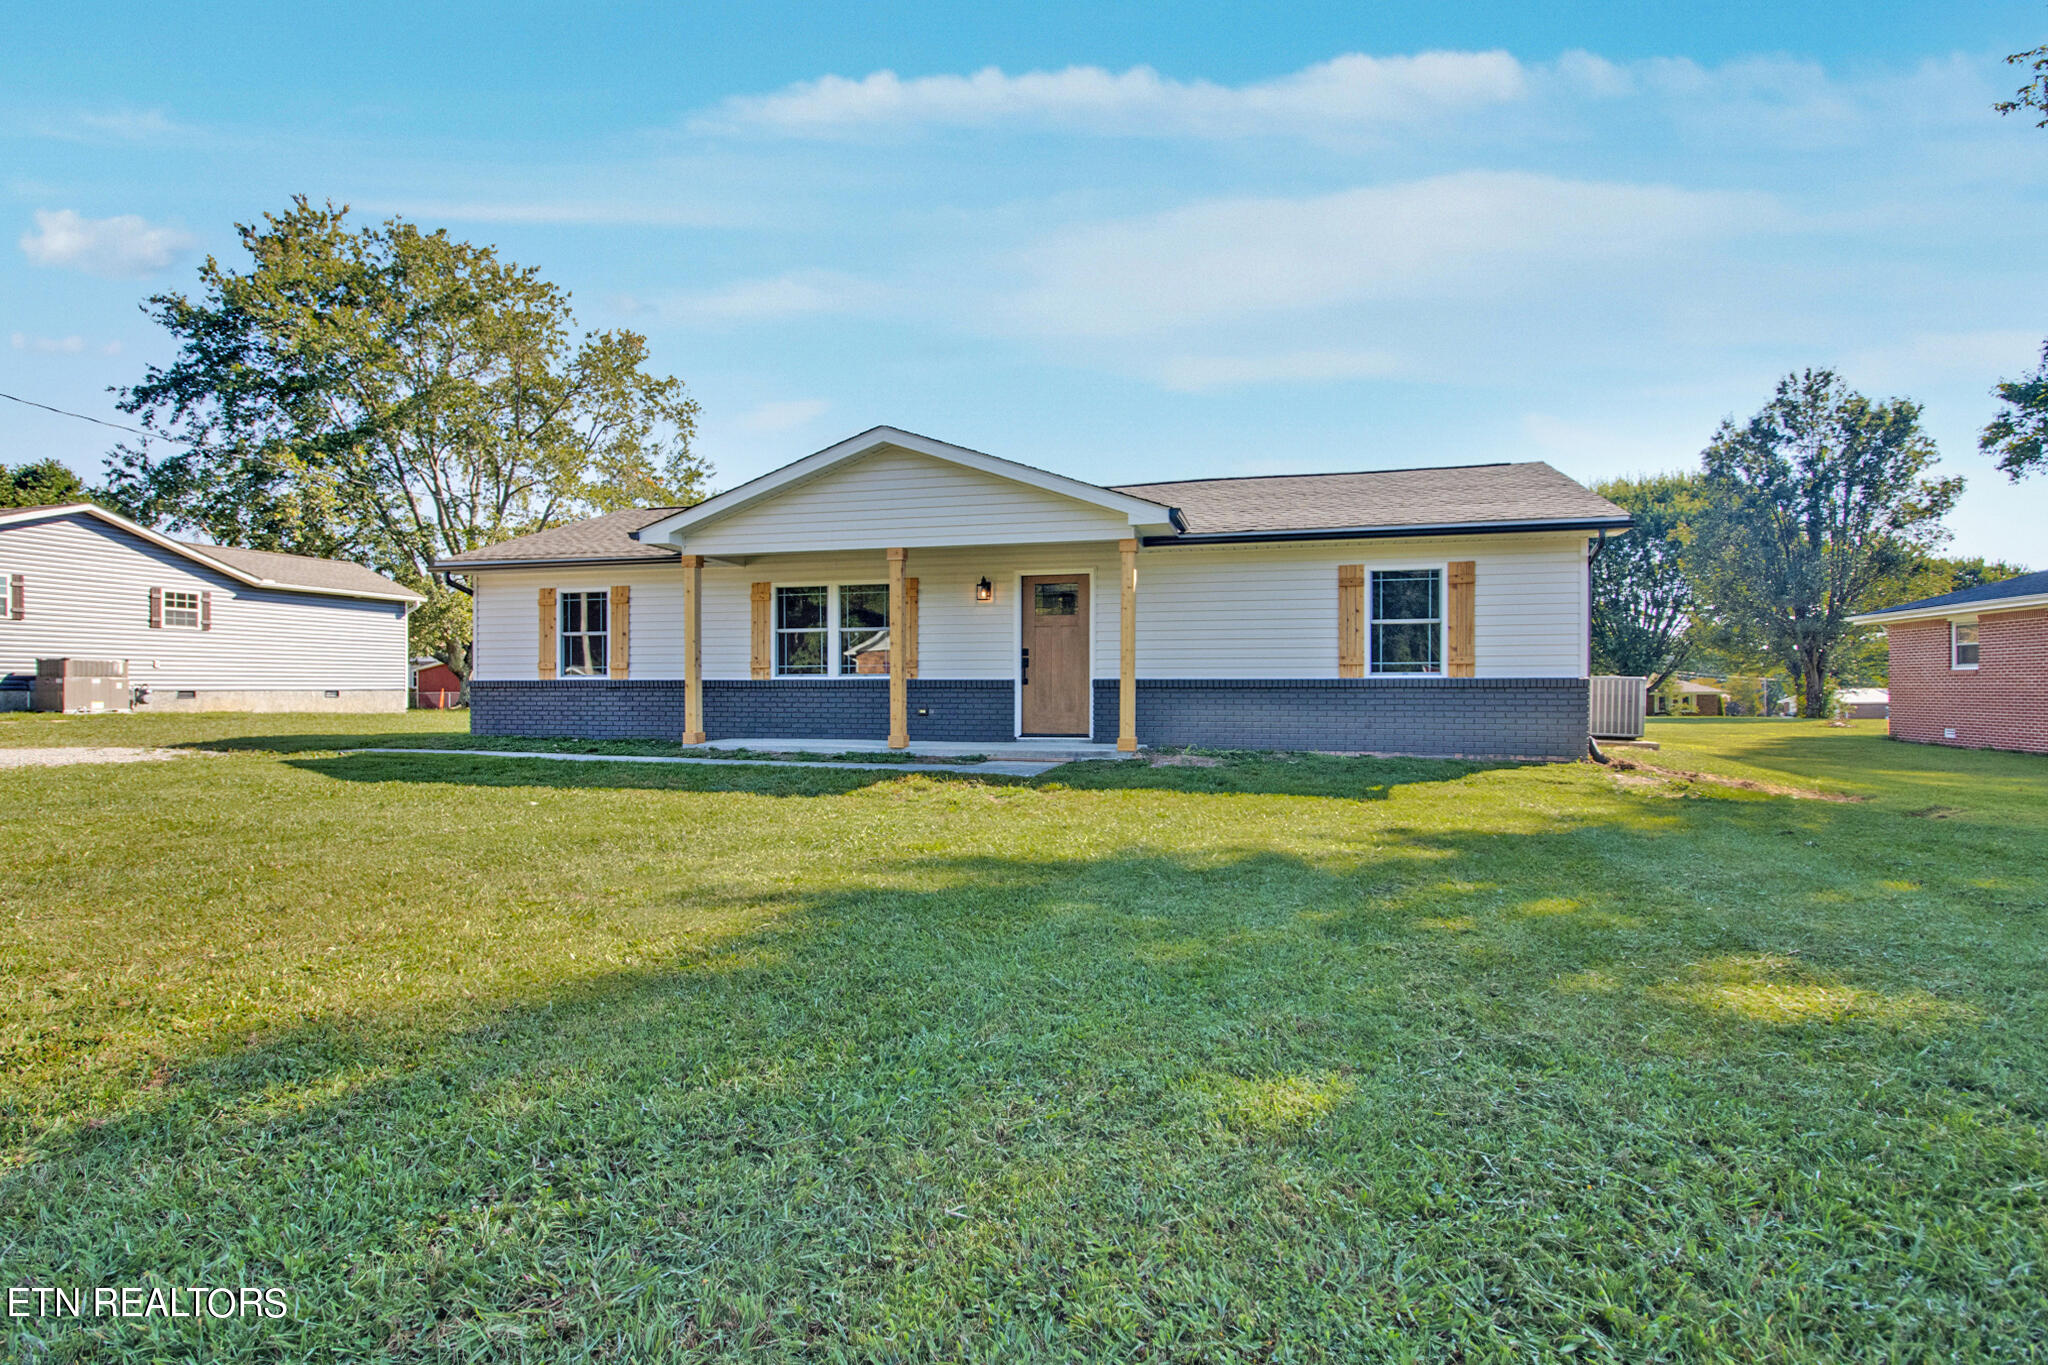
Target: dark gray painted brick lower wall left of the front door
[(941, 709)]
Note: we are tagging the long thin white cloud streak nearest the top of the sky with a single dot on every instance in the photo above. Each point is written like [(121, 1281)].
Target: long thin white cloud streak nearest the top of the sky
[(1340, 95)]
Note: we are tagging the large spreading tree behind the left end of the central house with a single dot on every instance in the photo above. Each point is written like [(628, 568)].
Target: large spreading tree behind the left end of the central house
[(392, 396)]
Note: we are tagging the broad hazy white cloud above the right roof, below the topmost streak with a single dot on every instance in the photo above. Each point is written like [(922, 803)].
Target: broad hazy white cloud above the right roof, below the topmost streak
[(1471, 236)]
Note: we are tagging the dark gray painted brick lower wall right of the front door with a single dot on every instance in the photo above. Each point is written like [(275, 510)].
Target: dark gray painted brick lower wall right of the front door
[(1453, 717)]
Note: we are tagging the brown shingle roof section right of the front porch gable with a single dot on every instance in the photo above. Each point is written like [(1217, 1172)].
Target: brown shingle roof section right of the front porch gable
[(1379, 498)]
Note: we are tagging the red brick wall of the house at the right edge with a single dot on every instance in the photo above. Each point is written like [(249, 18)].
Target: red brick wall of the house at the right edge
[(2000, 705)]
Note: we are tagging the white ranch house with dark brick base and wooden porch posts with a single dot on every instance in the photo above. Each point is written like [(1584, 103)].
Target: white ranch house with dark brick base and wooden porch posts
[(1422, 611)]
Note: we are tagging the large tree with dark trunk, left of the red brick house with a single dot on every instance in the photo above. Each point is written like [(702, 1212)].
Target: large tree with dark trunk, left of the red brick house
[(1818, 509)]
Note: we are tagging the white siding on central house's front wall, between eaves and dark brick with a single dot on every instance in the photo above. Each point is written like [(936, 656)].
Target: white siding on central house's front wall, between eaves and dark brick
[(1252, 611)]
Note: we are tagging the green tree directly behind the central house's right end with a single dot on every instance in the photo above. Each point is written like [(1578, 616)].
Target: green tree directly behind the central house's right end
[(1644, 601)]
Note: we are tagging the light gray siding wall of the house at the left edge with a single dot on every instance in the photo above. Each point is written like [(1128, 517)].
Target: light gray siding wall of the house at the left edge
[(89, 599)]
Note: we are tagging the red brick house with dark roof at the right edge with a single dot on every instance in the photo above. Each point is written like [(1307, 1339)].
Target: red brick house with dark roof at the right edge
[(1971, 668)]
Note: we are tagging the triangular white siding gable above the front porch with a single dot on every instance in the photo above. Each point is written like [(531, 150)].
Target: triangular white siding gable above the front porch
[(902, 498)]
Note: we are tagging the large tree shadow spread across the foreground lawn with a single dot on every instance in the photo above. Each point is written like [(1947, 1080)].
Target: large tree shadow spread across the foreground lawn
[(1185, 1098)]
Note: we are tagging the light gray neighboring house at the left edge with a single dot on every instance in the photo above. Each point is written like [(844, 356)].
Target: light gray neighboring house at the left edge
[(202, 627)]
